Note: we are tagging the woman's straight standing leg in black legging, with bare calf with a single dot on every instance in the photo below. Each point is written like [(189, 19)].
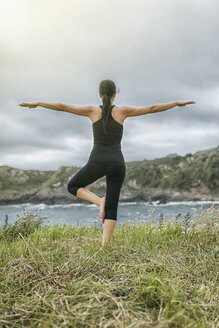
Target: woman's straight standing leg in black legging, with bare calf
[(115, 176)]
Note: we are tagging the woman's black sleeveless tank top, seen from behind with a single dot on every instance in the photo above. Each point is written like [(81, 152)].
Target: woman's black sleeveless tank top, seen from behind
[(107, 147)]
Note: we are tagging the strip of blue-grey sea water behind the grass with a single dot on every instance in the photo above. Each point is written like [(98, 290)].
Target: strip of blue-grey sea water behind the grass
[(88, 214)]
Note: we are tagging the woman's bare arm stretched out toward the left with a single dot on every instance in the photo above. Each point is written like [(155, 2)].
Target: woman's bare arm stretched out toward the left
[(83, 110)]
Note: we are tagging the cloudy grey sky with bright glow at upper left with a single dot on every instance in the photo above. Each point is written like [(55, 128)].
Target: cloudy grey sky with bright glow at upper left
[(59, 51)]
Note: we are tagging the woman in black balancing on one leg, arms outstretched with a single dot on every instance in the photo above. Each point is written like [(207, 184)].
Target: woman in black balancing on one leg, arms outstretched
[(106, 158)]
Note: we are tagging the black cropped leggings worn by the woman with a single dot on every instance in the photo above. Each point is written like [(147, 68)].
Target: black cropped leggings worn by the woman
[(90, 172)]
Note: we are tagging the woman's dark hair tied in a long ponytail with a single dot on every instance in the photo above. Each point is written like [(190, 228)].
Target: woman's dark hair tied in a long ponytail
[(107, 88)]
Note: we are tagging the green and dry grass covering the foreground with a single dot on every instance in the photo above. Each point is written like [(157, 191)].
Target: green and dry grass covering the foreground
[(149, 276)]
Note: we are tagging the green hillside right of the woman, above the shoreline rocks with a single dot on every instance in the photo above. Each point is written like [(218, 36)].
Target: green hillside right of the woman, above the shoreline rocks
[(177, 172)]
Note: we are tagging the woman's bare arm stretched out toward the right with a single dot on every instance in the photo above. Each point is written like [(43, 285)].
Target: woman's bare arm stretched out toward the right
[(155, 108)]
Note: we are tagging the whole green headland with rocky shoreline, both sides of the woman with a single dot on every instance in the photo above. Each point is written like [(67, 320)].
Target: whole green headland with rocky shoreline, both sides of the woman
[(171, 178)]
